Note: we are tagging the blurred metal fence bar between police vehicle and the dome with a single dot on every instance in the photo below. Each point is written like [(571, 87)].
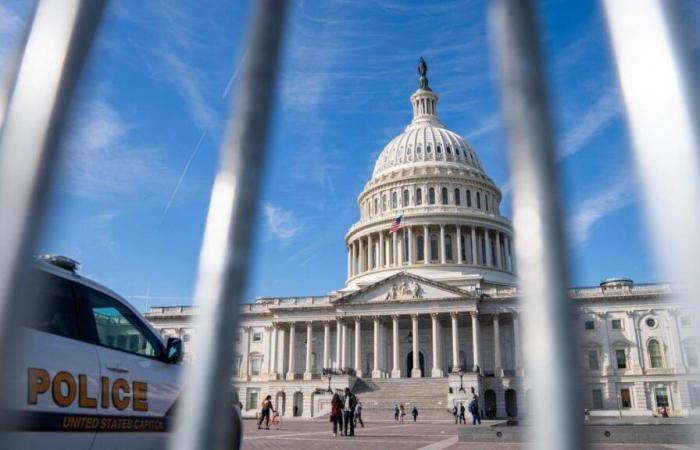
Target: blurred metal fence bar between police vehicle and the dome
[(204, 418)]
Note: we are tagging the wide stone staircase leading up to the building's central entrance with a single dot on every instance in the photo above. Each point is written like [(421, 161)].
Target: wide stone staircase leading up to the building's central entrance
[(378, 397)]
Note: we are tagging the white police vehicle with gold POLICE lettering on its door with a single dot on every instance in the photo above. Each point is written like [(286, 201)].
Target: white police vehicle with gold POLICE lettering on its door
[(90, 372)]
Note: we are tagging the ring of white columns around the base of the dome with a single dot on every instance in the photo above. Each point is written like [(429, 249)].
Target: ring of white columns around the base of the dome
[(431, 244)]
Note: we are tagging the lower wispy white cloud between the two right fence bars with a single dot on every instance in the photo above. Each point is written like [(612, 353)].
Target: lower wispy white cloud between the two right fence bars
[(594, 209)]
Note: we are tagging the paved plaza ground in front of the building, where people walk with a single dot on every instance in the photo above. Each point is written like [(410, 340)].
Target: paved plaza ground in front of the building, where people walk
[(386, 435)]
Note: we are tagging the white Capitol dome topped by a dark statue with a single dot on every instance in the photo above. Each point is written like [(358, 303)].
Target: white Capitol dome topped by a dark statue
[(431, 183)]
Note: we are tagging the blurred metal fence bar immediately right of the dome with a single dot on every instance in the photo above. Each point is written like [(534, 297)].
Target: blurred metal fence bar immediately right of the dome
[(549, 341)]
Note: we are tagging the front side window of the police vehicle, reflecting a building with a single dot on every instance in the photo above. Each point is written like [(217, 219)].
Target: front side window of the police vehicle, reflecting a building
[(118, 328)]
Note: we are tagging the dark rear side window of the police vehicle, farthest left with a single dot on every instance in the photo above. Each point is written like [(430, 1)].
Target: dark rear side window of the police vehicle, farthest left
[(57, 312)]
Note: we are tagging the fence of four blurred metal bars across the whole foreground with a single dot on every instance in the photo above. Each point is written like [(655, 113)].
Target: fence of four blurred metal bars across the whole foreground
[(663, 126)]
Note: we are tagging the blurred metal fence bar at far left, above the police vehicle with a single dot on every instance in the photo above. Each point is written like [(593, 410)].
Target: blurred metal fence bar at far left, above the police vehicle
[(36, 100)]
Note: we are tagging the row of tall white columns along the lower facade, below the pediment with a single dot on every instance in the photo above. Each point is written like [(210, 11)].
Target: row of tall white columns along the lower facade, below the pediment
[(278, 344)]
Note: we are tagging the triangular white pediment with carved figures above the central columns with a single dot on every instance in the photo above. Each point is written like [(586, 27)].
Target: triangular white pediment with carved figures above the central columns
[(403, 287)]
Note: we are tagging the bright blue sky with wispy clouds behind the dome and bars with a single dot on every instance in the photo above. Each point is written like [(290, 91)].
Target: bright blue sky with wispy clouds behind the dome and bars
[(138, 161)]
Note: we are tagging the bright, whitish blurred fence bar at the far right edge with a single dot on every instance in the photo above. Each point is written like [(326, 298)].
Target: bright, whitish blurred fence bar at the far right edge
[(661, 101)]
